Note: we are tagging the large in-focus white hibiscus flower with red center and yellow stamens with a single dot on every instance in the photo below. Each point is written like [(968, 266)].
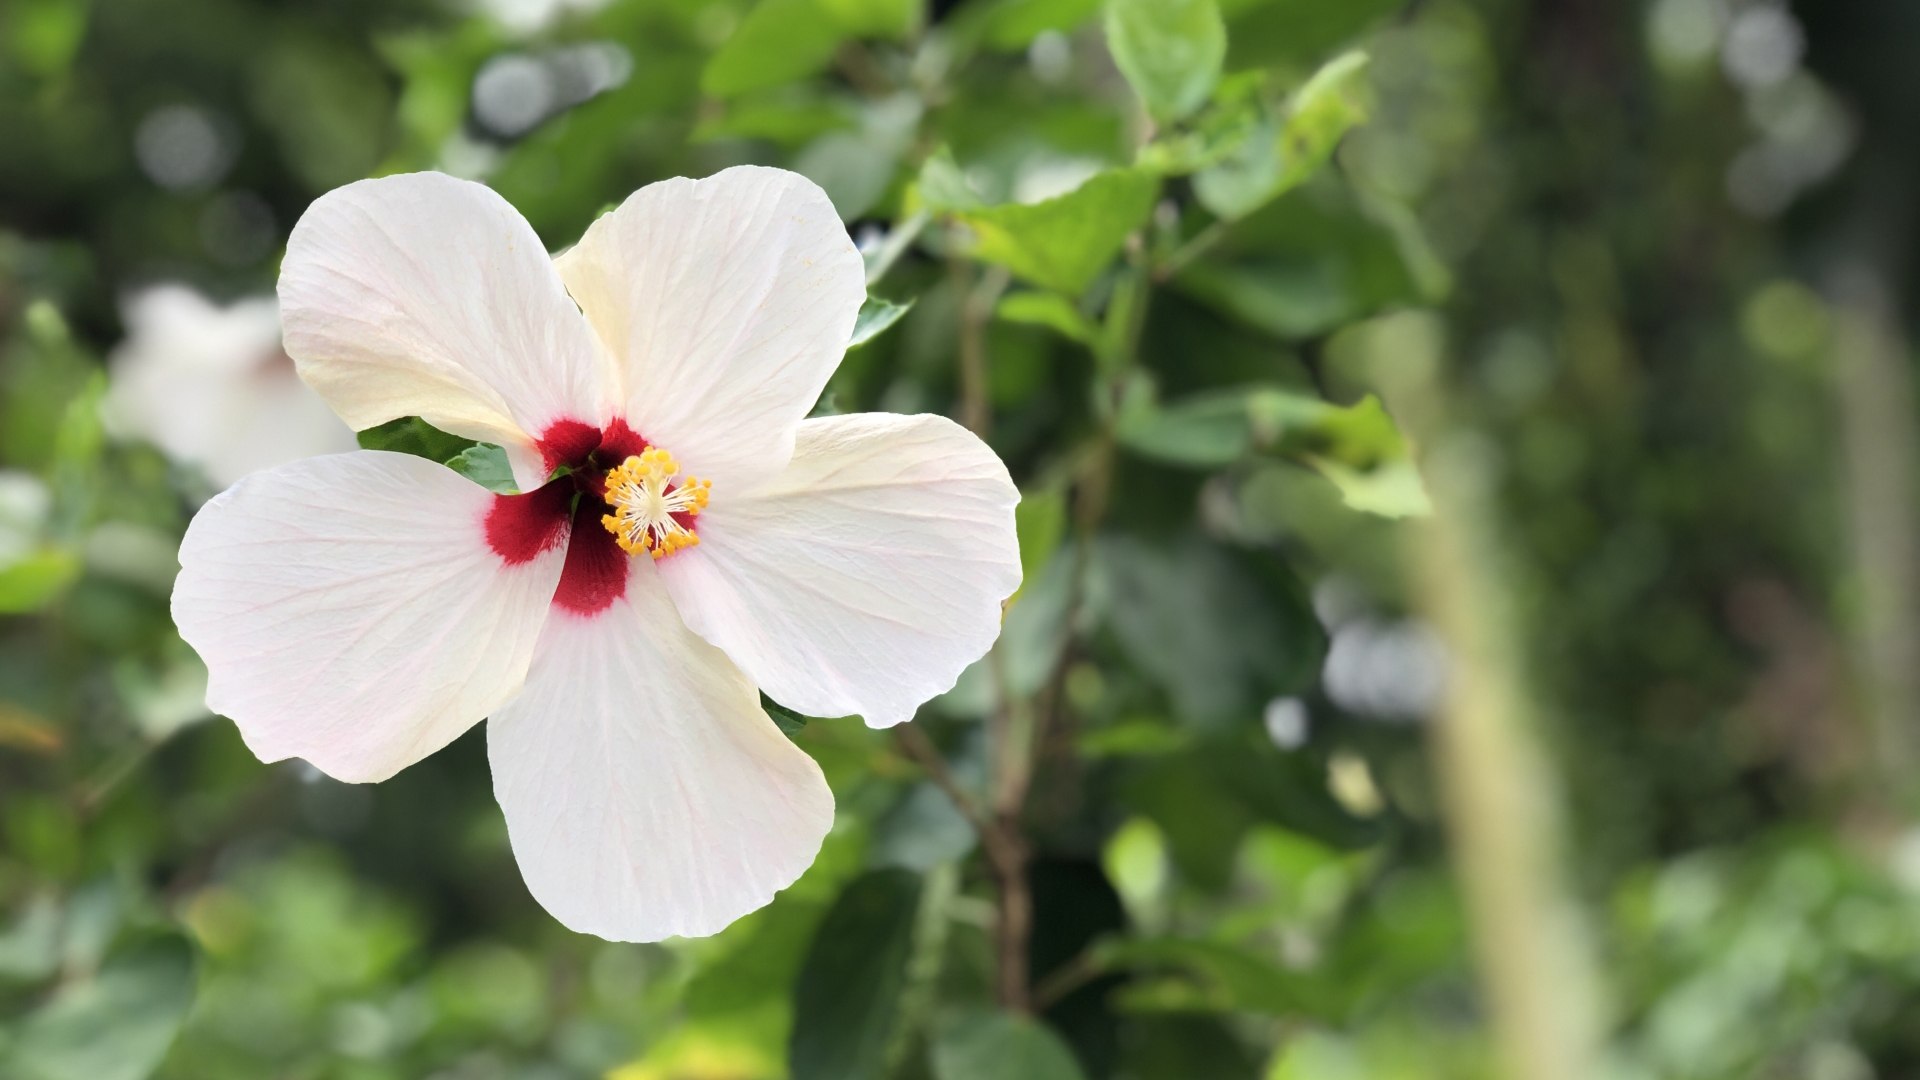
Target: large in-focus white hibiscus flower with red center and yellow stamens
[(617, 620)]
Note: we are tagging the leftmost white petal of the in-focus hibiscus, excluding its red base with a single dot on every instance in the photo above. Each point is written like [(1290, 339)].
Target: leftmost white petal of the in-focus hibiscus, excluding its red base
[(352, 612)]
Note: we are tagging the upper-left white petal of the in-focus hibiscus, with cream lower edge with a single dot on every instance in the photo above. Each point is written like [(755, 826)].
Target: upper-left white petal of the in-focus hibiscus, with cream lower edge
[(431, 297)]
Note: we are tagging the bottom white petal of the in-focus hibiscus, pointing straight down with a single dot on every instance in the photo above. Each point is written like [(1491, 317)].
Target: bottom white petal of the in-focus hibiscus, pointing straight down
[(646, 793)]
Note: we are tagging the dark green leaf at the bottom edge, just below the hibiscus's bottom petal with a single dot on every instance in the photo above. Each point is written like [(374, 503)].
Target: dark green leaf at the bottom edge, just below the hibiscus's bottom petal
[(848, 998)]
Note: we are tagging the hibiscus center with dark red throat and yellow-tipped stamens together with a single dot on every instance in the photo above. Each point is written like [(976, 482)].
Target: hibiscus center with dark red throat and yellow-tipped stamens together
[(619, 497)]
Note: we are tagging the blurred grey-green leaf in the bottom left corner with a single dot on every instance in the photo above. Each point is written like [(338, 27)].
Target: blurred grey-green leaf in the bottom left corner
[(112, 1027)]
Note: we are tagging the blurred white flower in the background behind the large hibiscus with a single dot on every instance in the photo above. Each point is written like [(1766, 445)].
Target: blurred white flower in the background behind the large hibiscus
[(212, 387)]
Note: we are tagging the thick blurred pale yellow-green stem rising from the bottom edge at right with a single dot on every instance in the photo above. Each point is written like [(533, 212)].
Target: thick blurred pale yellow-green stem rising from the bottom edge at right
[(1502, 791)]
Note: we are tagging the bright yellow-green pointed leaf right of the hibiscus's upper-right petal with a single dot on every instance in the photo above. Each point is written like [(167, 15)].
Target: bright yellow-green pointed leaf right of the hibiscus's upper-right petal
[(1067, 241)]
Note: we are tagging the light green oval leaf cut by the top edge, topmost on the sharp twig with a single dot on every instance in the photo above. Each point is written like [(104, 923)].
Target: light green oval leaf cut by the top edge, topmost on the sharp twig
[(1170, 51)]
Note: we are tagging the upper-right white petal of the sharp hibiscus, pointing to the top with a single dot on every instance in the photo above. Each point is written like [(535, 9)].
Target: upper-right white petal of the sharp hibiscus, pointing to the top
[(729, 303)]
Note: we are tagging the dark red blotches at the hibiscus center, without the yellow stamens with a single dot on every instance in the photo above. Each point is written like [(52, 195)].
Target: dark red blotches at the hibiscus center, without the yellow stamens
[(567, 510)]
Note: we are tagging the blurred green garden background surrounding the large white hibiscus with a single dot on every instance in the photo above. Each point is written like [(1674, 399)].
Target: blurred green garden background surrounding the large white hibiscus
[(1472, 535)]
